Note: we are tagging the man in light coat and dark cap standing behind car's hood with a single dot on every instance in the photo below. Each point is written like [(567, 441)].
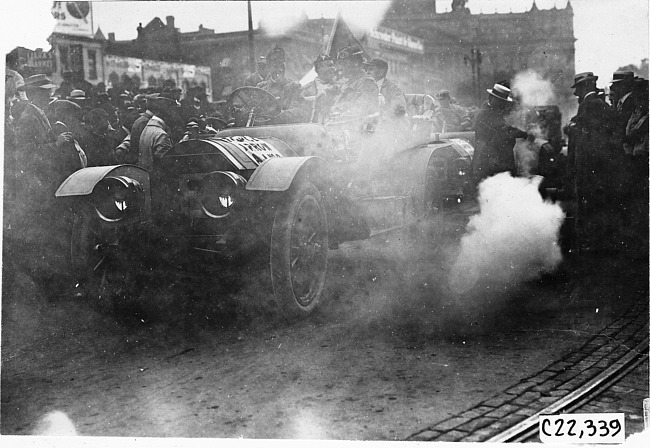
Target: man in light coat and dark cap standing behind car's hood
[(155, 140)]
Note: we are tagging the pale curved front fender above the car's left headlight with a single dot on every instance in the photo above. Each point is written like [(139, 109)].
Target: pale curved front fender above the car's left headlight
[(82, 182)]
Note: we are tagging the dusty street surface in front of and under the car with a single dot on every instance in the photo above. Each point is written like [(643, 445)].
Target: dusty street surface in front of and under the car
[(389, 352)]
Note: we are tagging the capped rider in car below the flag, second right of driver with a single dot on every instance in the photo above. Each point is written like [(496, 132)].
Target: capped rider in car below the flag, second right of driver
[(359, 97)]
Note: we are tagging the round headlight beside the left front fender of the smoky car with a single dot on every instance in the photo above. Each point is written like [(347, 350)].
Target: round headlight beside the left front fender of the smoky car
[(116, 198)]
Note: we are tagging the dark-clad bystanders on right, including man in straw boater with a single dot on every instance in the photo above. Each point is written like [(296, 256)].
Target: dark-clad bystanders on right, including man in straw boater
[(607, 158)]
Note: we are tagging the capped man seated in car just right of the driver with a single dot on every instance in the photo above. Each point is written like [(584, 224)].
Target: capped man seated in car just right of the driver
[(322, 91)]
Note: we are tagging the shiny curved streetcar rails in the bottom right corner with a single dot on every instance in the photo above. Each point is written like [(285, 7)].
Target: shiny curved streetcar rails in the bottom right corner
[(610, 376)]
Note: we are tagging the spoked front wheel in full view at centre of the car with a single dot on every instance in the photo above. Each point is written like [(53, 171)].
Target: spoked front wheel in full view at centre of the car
[(299, 246)]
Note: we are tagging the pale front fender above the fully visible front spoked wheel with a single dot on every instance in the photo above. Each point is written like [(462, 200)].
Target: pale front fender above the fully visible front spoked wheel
[(277, 174)]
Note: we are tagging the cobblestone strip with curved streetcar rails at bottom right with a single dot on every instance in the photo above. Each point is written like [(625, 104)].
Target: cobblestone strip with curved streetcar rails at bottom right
[(573, 384)]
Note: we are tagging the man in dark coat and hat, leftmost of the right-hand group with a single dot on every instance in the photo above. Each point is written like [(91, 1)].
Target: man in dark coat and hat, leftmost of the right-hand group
[(595, 163)]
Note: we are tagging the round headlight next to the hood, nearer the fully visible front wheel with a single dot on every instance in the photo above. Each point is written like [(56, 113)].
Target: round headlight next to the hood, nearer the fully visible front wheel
[(218, 192)]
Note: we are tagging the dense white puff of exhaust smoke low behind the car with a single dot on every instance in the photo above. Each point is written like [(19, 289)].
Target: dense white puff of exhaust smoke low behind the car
[(513, 239)]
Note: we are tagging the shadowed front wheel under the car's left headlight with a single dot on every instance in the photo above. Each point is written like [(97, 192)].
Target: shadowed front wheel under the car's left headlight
[(102, 271)]
